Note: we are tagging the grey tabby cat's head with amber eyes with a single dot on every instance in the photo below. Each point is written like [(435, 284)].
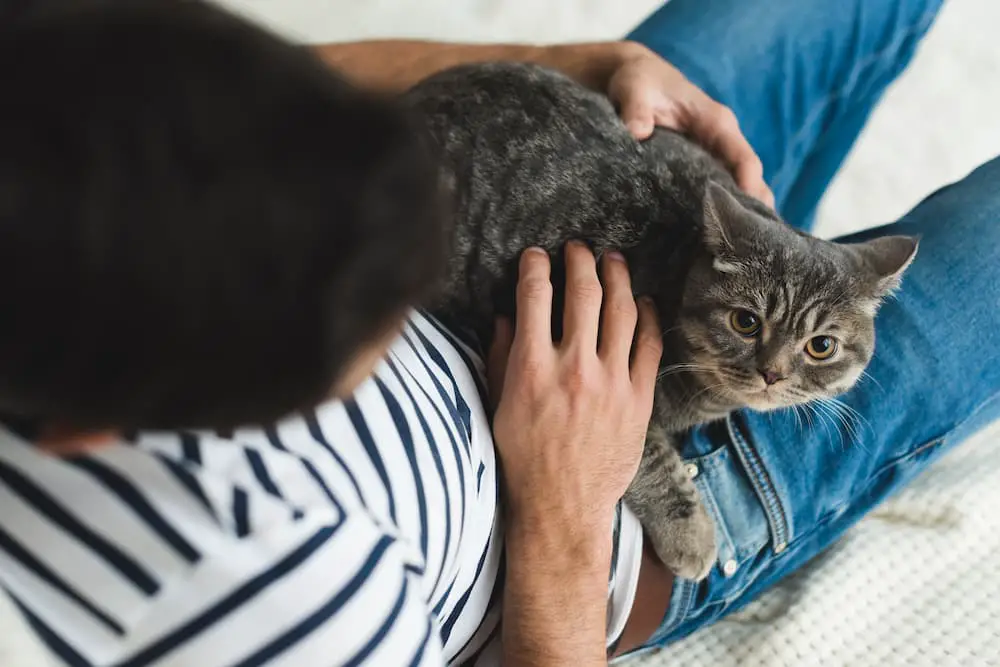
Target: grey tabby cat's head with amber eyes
[(772, 317)]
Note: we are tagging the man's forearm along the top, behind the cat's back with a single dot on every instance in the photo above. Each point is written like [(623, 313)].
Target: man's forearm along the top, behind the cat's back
[(395, 65)]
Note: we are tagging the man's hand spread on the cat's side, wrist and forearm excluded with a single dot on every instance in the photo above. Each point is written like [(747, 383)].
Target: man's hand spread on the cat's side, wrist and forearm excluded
[(573, 415)]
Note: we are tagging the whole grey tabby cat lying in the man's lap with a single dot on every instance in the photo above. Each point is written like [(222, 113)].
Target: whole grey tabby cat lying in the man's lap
[(755, 313)]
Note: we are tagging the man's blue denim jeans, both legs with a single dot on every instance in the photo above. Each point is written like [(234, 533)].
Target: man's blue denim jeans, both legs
[(802, 77)]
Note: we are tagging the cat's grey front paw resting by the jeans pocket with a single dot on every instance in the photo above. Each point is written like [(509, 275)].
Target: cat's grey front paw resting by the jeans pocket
[(686, 545)]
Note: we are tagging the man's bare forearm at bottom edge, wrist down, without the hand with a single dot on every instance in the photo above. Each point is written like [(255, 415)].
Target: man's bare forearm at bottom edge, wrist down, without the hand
[(555, 595)]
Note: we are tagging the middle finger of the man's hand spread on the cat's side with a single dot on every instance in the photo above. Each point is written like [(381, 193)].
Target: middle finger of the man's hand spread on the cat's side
[(582, 315)]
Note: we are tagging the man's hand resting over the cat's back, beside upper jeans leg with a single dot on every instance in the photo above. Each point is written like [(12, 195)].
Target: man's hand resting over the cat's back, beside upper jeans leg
[(651, 92)]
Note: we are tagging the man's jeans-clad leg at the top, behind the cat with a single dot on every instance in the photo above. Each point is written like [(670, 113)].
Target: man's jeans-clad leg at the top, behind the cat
[(802, 76)]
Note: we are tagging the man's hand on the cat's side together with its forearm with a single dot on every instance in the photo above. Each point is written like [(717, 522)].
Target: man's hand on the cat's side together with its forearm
[(569, 429)]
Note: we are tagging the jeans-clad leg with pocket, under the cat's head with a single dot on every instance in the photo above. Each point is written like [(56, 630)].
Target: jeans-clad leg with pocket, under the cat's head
[(783, 487)]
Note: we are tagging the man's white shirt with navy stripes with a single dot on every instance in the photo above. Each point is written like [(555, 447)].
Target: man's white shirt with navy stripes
[(365, 531)]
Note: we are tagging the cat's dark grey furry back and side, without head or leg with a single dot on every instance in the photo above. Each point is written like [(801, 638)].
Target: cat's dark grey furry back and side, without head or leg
[(530, 157)]
